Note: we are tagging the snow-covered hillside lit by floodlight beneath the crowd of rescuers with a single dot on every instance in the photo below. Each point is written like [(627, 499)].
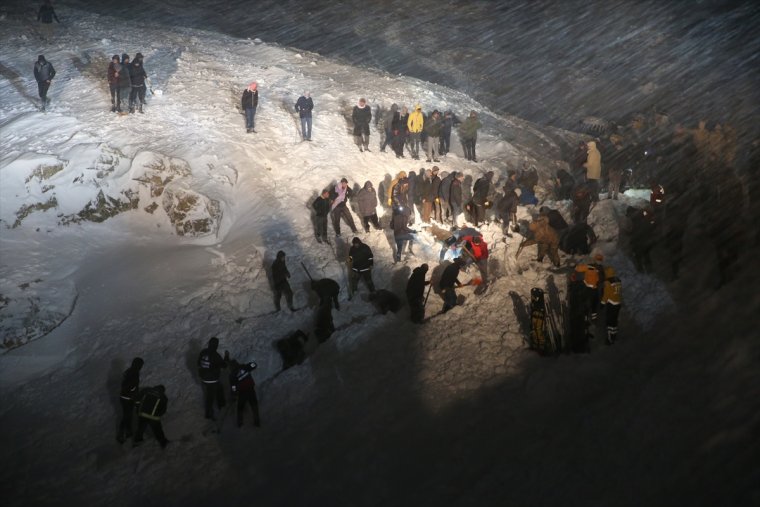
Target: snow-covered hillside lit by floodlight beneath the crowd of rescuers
[(453, 412)]
